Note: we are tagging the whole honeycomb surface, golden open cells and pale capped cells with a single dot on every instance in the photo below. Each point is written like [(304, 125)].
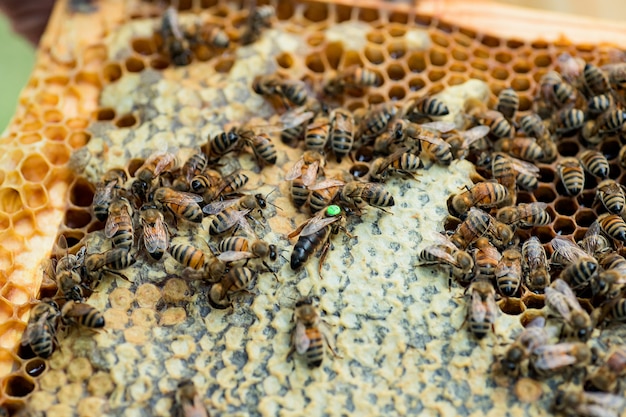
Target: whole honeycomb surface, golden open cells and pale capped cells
[(108, 98)]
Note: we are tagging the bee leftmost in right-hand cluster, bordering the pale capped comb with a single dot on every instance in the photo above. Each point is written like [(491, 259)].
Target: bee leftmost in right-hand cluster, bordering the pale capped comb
[(442, 252)]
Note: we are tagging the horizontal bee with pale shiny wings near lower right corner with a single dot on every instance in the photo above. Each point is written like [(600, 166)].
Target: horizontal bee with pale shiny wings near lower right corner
[(546, 360)]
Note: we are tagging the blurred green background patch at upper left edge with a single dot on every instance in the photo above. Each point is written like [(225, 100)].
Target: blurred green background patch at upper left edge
[(15, 67)]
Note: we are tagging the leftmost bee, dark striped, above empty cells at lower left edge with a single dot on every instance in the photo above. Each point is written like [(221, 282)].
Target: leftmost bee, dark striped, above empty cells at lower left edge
[(40, 334)]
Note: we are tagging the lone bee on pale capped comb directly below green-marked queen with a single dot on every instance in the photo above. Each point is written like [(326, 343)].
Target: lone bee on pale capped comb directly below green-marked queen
[(310, 334)]
